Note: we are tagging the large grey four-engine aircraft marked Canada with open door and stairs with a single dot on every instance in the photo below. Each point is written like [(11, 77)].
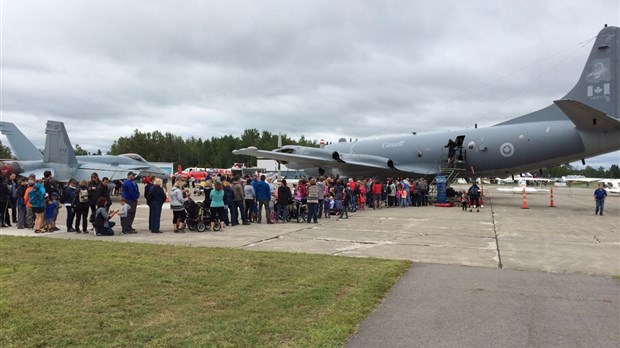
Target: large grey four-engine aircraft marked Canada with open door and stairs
[(585, 123)]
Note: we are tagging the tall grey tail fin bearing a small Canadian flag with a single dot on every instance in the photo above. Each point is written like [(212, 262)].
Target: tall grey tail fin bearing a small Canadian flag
[(598, 86)]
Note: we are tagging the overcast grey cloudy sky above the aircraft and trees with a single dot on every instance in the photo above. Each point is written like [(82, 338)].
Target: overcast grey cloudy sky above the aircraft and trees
[(324, 69)]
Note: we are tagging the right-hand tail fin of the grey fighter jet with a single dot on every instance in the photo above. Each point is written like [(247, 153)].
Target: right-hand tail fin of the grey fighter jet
[(58, 147)]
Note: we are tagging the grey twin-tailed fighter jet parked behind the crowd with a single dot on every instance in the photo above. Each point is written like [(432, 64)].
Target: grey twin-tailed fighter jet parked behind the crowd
[(59, 158)]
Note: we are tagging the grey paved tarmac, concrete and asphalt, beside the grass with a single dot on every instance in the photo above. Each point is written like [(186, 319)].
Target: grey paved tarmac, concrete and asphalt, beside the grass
[(537, 277)]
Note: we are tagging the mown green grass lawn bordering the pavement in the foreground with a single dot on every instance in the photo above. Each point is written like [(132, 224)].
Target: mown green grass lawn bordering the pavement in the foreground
[(100, 294)]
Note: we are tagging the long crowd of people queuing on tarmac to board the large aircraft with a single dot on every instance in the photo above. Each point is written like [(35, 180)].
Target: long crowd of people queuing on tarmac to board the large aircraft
[(34, 203)]
